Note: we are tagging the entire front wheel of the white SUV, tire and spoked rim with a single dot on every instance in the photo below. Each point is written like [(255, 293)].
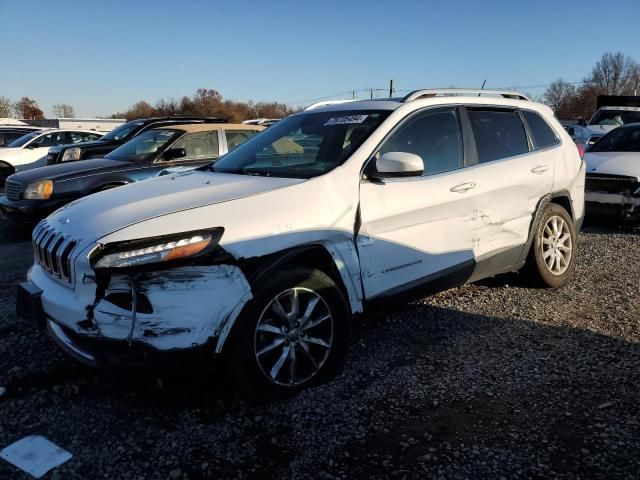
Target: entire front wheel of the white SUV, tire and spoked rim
[(291, 335)]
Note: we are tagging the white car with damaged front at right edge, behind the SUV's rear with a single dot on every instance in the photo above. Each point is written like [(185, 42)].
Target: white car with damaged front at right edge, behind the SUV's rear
[(613, 174)]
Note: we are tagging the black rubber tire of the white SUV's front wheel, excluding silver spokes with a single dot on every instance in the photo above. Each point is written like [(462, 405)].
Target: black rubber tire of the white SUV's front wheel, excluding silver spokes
[(250, 373)]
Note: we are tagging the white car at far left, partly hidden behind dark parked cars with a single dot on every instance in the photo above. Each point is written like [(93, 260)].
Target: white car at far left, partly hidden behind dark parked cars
[(30, 150)]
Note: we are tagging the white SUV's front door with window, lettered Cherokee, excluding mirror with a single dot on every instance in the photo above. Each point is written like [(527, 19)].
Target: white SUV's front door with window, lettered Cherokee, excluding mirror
[(417, 231)]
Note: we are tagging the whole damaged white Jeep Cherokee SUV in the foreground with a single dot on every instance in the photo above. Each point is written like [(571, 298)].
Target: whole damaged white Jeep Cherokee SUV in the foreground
[(269, 253)]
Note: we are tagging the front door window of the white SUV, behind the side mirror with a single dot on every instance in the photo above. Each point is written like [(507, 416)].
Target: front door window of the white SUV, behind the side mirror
[(434, 137)]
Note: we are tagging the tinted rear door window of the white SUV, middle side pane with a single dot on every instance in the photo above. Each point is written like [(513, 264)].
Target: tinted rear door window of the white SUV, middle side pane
[(498, 134)]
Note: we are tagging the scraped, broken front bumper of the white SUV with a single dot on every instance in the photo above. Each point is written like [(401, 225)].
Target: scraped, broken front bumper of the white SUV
[(181, 309)]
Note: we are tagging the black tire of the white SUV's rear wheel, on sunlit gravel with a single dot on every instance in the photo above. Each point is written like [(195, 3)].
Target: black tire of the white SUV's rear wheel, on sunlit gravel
[(540, 273)]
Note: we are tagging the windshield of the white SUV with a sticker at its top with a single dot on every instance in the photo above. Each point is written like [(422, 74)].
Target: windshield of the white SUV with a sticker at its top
[(303, 146)]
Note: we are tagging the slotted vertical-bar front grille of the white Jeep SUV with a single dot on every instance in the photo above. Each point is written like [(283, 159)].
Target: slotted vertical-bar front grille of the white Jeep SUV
[(52, 251)]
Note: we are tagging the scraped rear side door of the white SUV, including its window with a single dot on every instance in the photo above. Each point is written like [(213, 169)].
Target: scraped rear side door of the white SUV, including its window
[(511, 176)]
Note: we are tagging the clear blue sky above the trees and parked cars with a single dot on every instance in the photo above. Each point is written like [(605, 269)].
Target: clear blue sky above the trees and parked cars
[(102, 56)]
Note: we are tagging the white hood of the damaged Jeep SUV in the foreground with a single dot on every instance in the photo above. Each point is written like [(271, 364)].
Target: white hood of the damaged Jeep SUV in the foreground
[(97, 215)]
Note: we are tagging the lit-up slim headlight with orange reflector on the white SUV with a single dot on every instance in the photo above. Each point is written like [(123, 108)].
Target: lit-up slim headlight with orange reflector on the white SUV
[(157, 250)]
